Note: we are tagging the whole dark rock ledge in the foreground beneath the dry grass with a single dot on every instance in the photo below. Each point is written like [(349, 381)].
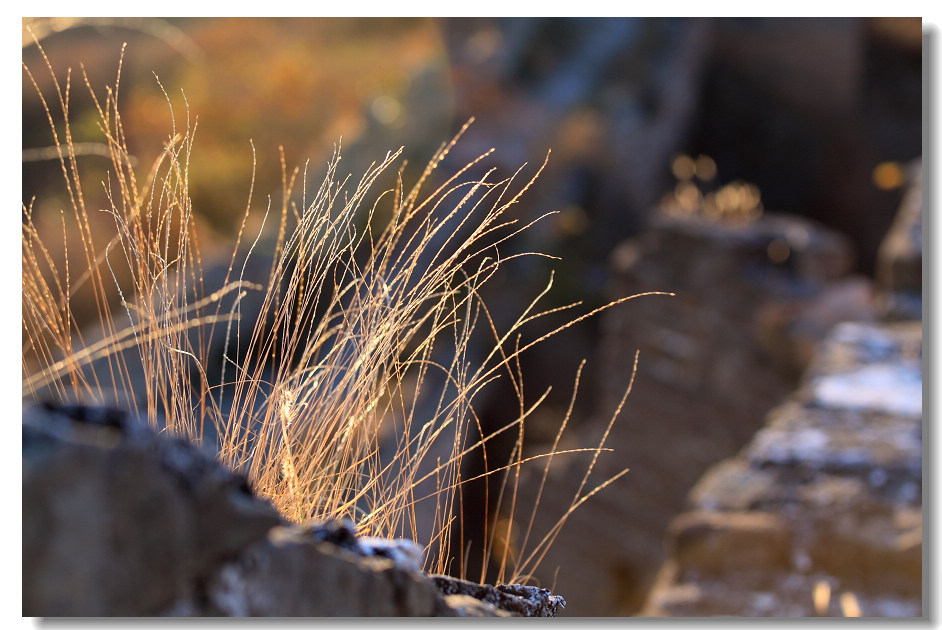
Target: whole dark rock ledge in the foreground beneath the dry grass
[(119, 520)]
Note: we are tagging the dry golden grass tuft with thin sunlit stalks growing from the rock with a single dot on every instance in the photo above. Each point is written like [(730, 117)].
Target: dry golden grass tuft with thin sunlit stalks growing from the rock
[(329, 394)]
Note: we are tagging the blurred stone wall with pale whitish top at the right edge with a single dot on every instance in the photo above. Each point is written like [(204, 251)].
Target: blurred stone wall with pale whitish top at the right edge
[(827, 498)]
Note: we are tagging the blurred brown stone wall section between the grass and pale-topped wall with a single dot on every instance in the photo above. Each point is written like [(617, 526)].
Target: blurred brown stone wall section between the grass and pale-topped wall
[(714, 359)]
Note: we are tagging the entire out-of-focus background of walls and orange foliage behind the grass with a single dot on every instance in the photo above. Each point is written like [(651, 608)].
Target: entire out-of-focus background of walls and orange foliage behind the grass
[(754, 167)]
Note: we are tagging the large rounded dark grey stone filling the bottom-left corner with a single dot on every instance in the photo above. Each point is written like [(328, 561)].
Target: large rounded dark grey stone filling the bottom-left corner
[(119, 522)]
